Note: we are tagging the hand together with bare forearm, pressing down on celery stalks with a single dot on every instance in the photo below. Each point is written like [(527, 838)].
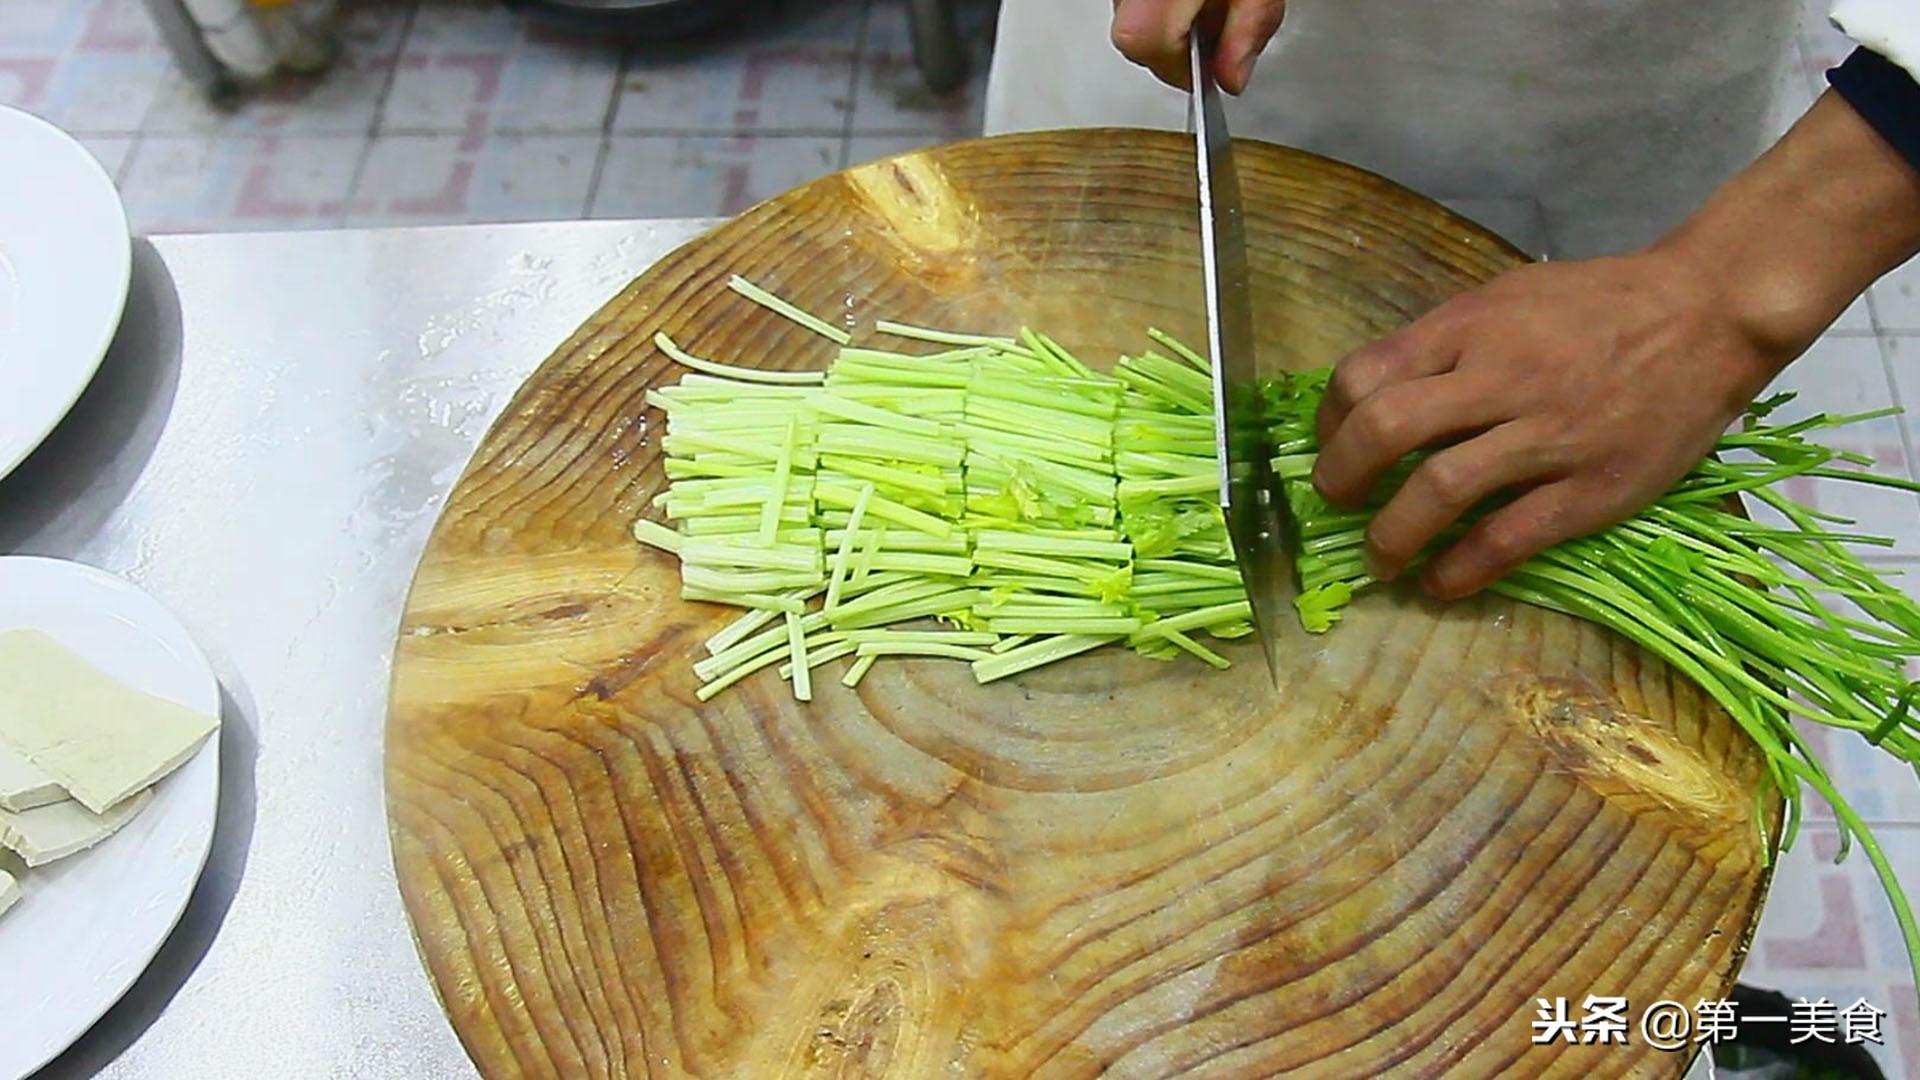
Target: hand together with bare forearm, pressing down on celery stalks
[(1583, 391)]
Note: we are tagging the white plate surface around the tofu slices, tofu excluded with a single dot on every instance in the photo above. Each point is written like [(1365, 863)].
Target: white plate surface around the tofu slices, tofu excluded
[(89, 925)]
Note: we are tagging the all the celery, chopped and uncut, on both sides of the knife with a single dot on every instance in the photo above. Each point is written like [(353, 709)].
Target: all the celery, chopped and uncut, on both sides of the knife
[(994, 501)]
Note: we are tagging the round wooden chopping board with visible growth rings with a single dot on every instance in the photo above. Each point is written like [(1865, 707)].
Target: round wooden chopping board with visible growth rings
[(1113, 866)]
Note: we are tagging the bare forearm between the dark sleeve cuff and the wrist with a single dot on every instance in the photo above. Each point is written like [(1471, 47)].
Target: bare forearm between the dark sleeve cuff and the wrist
[(1806, 230)]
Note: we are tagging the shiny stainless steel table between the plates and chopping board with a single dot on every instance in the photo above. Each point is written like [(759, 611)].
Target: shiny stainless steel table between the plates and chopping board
[(266, 451)]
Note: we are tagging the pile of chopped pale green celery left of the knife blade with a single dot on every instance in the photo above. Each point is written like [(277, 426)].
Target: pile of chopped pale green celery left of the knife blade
[(990, 501)]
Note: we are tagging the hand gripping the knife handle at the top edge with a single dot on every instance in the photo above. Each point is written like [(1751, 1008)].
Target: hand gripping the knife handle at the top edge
[(1155, 36)]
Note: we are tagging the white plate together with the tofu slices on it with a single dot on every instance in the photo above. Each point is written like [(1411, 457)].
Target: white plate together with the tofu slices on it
[(108, 795)]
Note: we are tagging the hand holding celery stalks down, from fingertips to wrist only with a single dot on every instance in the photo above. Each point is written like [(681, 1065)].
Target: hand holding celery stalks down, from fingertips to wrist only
[(1585, 389)]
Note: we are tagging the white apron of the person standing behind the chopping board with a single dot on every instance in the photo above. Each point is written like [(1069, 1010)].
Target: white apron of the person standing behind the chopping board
[(1606, 120)]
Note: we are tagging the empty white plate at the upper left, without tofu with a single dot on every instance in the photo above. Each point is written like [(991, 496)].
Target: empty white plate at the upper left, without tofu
[(64, 268)]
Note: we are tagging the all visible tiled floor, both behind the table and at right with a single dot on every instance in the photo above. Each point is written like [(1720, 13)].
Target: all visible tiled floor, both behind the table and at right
[(456, 110)]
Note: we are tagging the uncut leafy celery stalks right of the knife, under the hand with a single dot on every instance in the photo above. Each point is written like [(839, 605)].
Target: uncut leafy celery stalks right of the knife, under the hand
[(1742, 608)]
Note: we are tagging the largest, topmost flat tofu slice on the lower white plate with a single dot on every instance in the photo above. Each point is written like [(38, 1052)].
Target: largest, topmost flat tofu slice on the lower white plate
[(97, 737)]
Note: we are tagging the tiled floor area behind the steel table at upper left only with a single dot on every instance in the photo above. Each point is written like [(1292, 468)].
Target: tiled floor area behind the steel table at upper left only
[(460, 110)]
